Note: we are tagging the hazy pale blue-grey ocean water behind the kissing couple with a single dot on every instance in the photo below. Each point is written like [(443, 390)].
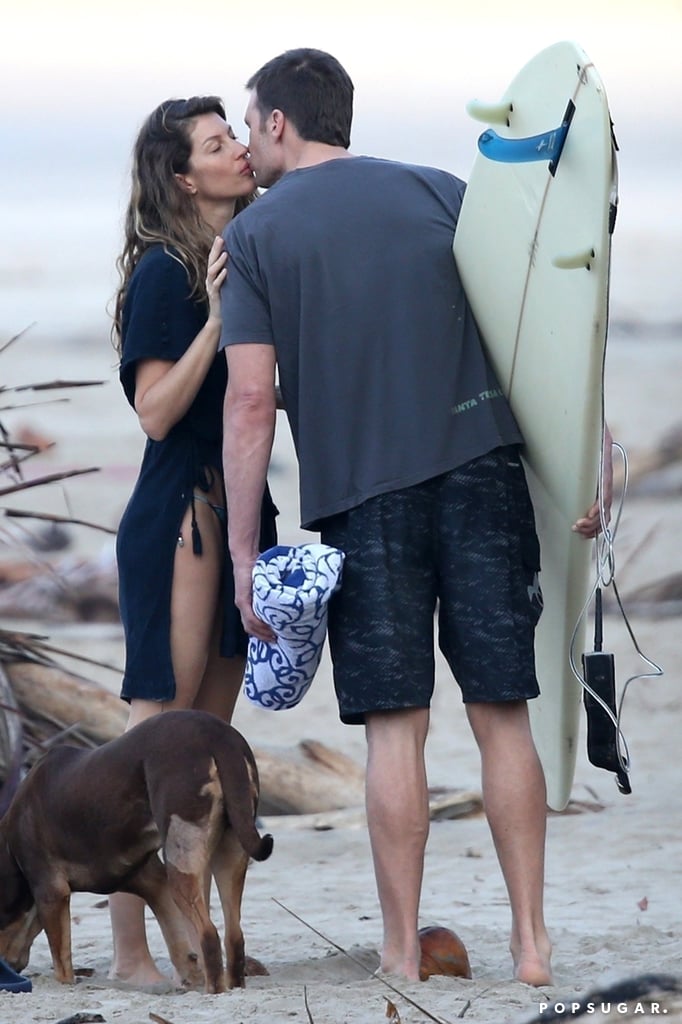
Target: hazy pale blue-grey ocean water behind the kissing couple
[(66, 184)]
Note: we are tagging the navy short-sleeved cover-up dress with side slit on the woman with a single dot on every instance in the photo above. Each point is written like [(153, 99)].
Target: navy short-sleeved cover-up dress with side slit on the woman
[(160, 321)]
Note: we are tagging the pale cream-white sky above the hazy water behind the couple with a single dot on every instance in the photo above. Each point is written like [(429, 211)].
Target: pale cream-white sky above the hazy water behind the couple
[(117, 59)]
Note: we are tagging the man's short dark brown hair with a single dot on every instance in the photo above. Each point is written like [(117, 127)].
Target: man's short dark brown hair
[(311, 89)]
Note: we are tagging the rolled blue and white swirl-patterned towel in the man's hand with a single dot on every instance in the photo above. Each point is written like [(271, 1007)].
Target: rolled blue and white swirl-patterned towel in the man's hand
[(291, 590)]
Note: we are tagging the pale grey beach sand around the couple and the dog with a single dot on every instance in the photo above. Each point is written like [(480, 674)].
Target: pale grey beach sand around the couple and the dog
[(614, 868)]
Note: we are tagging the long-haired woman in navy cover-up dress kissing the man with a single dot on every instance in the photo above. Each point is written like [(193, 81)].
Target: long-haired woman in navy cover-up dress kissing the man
[(185, 643)]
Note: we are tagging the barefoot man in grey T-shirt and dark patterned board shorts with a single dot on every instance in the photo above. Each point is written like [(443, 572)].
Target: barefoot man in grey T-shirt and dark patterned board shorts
[(343, 277)]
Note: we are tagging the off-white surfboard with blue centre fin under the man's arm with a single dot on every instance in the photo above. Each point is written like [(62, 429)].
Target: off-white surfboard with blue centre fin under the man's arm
[(533, 250)]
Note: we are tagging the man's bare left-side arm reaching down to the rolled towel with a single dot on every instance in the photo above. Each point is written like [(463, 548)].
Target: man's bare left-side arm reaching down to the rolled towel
[(249, 432)]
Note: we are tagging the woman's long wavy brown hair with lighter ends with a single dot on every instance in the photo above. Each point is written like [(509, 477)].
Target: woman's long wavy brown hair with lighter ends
[(159, 211)]
